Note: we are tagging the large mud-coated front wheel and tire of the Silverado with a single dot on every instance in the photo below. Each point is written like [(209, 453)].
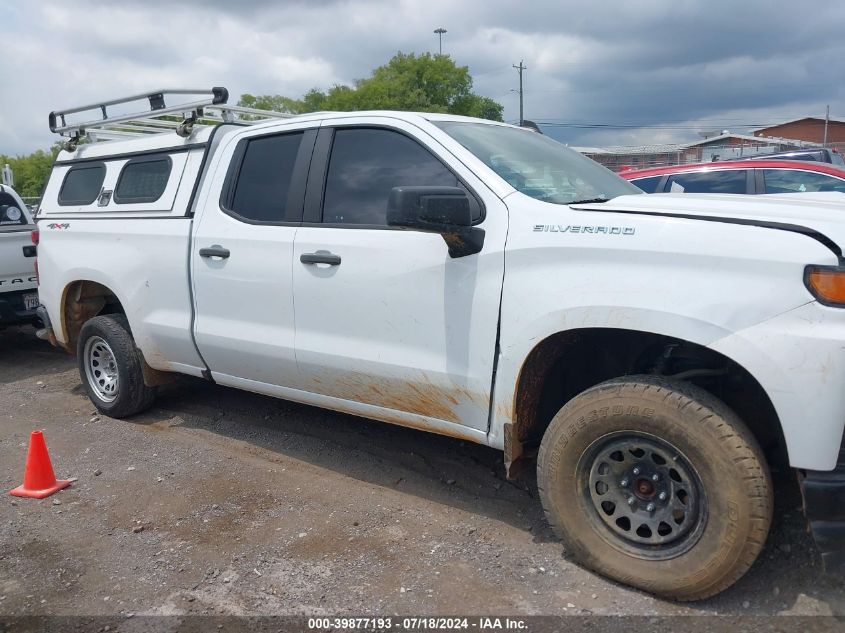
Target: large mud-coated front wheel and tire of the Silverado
[(656, 484)]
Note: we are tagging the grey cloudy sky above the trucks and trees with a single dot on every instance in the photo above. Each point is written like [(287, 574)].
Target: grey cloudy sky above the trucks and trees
[(599, 73)]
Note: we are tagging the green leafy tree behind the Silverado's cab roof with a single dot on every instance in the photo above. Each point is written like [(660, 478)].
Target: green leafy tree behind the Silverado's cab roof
[(423, 83)]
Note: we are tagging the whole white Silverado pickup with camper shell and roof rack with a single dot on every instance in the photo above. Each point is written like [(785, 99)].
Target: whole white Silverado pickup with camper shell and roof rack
[(655, 354)]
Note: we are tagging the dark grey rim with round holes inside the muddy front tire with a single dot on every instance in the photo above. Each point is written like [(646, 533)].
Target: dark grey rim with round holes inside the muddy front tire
[(642, 494)]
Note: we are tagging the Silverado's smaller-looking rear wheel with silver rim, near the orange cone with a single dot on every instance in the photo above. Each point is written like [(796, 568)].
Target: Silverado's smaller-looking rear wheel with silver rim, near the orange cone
[(110, 367)]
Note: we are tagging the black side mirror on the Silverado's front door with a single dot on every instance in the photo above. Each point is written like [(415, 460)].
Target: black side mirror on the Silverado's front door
[(448, 211)]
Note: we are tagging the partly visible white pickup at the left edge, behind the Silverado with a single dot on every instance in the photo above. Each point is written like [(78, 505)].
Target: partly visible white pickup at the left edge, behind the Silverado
[(18, 287)]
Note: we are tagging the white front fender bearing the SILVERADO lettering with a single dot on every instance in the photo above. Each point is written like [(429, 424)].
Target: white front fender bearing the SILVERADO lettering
[(709, 283)]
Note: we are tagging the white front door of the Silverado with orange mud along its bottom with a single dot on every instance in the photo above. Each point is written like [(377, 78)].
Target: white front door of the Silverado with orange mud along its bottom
[(391, 320)]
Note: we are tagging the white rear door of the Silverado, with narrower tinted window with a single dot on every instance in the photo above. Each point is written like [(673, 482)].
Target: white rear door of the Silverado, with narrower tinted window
[(241, 256)]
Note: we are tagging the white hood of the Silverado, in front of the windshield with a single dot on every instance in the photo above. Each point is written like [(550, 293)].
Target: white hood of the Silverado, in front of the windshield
[(817, 215)]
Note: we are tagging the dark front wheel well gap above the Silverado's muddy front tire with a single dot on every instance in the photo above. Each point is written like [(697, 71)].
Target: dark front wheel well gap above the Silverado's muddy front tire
[(565, 363)]
